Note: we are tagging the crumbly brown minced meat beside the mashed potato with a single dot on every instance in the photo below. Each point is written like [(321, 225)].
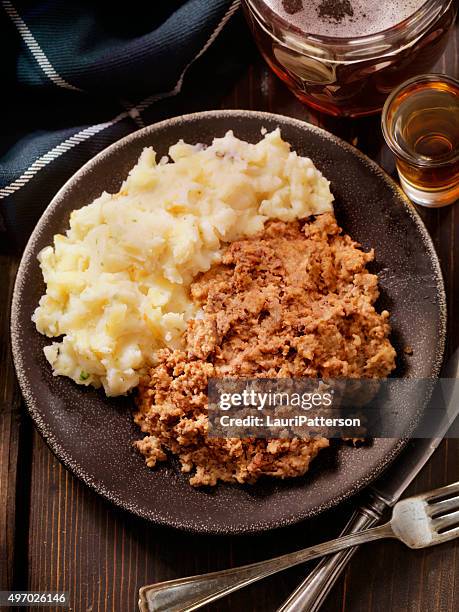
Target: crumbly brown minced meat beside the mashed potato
[(295, 300)]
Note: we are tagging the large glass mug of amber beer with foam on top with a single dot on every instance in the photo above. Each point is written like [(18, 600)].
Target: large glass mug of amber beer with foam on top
[(344, 57)]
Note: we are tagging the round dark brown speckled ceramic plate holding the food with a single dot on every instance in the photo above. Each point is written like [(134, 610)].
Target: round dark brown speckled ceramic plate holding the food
[(93, 435)]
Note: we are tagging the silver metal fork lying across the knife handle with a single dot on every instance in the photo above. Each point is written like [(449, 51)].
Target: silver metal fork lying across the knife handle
[(420, 521)]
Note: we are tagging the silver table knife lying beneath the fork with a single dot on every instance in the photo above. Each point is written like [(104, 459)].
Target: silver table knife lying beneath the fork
[(377, 498)]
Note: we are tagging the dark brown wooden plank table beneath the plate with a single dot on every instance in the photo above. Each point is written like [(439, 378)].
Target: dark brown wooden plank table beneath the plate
[(55, 534)]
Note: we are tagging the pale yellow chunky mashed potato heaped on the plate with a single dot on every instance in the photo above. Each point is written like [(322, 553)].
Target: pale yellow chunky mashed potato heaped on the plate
[(117, 283)]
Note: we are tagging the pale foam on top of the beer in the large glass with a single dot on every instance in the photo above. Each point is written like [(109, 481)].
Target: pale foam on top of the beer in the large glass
[(344, 18)]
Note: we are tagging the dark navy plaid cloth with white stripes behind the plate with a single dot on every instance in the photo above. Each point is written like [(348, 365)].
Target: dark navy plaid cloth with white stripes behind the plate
[(79, 75)]
